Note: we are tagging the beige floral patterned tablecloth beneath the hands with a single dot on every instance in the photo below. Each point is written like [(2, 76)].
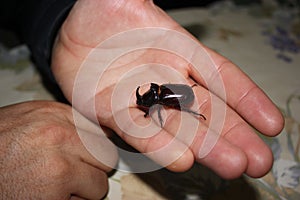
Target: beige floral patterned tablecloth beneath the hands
[(265, 43)]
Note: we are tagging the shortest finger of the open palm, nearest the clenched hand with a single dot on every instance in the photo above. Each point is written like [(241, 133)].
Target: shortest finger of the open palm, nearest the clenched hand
[(153, 142)]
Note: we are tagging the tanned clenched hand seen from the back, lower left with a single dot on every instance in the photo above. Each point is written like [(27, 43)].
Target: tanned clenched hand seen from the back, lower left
[(42, 156)]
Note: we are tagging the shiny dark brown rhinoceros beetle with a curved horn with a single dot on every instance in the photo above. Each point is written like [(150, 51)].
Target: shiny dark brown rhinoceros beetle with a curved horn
[(177, 96)]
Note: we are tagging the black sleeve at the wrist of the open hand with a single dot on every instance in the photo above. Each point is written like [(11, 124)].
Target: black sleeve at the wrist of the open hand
[(36, 22)]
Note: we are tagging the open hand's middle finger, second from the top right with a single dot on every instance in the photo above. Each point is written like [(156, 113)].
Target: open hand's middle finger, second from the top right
[(239, 134)]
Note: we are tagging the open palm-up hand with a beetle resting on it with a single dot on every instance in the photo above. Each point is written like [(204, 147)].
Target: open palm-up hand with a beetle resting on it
[(238, 149)]
